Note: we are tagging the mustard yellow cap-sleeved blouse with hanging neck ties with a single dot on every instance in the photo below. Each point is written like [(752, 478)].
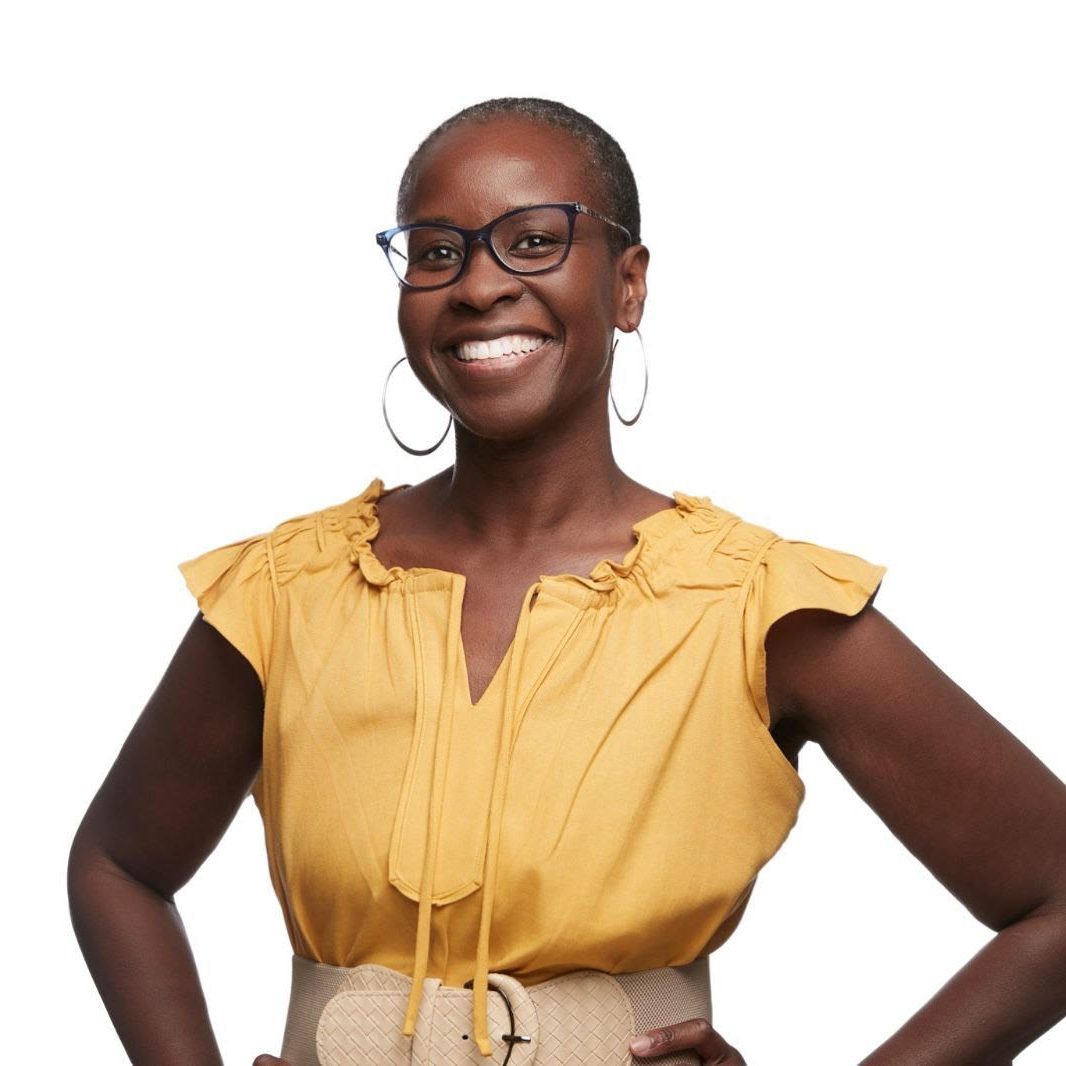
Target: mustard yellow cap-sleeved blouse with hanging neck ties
[(609, 802)]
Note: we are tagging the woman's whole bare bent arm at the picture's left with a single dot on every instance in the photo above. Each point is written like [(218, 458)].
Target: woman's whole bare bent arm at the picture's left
[(179, 782)]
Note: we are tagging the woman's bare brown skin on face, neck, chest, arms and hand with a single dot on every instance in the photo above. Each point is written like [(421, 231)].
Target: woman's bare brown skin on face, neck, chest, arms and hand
[(536, 490)]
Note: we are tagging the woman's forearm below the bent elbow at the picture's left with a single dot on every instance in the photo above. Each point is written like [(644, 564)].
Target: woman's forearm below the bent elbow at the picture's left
[(135, 944)]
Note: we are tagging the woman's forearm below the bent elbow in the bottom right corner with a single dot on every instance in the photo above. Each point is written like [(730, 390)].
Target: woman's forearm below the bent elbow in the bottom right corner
[(1011, 993)]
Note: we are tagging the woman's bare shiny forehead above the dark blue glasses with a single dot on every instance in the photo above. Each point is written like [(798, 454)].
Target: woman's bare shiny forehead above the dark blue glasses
[(477, 171)]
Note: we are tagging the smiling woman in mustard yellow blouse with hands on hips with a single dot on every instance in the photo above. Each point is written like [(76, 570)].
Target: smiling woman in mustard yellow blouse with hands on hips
[(486, 716)]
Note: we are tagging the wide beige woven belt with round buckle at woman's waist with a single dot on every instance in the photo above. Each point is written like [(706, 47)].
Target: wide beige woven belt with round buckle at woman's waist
[(354, 1017)]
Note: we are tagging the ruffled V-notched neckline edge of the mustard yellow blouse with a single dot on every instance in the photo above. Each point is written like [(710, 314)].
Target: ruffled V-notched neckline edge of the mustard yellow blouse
[(641, 531)]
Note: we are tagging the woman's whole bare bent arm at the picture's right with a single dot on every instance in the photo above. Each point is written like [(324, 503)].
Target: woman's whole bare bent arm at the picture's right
[(965, 797)]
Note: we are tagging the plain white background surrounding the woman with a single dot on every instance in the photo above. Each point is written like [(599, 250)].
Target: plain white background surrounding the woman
[(855, 322)]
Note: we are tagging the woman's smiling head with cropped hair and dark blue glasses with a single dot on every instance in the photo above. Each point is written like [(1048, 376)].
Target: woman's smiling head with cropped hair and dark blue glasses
[(542, 233)]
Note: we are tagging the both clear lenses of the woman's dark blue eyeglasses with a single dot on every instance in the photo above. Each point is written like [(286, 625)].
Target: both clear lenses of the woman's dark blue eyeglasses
[(530, 240)]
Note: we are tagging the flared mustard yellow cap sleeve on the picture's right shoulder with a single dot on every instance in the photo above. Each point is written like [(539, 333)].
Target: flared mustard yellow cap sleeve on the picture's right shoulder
[(789, 576)]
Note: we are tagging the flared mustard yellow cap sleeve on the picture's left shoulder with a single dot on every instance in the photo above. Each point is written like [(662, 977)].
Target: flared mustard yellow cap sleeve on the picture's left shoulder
[(236, 589)]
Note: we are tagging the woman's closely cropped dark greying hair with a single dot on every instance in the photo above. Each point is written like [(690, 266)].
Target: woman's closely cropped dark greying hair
[(607, 165)]
